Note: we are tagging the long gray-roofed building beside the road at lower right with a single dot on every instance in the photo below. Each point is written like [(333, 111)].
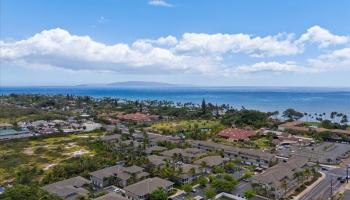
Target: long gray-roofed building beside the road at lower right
[(281, 178)]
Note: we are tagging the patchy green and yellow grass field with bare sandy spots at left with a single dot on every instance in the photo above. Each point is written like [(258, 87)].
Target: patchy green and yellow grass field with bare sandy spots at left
[(41, 152)]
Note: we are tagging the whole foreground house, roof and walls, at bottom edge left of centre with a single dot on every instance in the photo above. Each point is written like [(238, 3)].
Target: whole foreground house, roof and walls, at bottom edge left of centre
[(141, 190)]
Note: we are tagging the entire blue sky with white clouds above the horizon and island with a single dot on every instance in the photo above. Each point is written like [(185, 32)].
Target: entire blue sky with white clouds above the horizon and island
[(207, 42)]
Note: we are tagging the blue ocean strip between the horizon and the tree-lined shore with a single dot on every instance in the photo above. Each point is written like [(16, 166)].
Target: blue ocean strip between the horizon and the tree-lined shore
[(310, 100)]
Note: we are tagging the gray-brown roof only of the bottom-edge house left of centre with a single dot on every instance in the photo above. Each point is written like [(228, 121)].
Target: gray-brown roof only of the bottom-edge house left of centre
[(147, 186)]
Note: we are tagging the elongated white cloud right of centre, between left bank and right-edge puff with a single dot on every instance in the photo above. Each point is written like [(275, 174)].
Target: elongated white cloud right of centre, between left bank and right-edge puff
[(278, 45)]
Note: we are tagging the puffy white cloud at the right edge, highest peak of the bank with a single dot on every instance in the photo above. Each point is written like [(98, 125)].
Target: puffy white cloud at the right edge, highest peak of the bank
[(323, 37)]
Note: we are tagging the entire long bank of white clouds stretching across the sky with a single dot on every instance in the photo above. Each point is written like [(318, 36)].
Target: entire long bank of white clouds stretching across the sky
[(197, 53)]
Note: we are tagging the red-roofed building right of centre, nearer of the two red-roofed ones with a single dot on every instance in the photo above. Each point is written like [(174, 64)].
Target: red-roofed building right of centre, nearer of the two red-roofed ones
[(236, 134)]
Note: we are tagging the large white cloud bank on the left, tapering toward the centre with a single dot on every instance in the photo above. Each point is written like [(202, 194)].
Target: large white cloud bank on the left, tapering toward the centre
[(59, 48)]
